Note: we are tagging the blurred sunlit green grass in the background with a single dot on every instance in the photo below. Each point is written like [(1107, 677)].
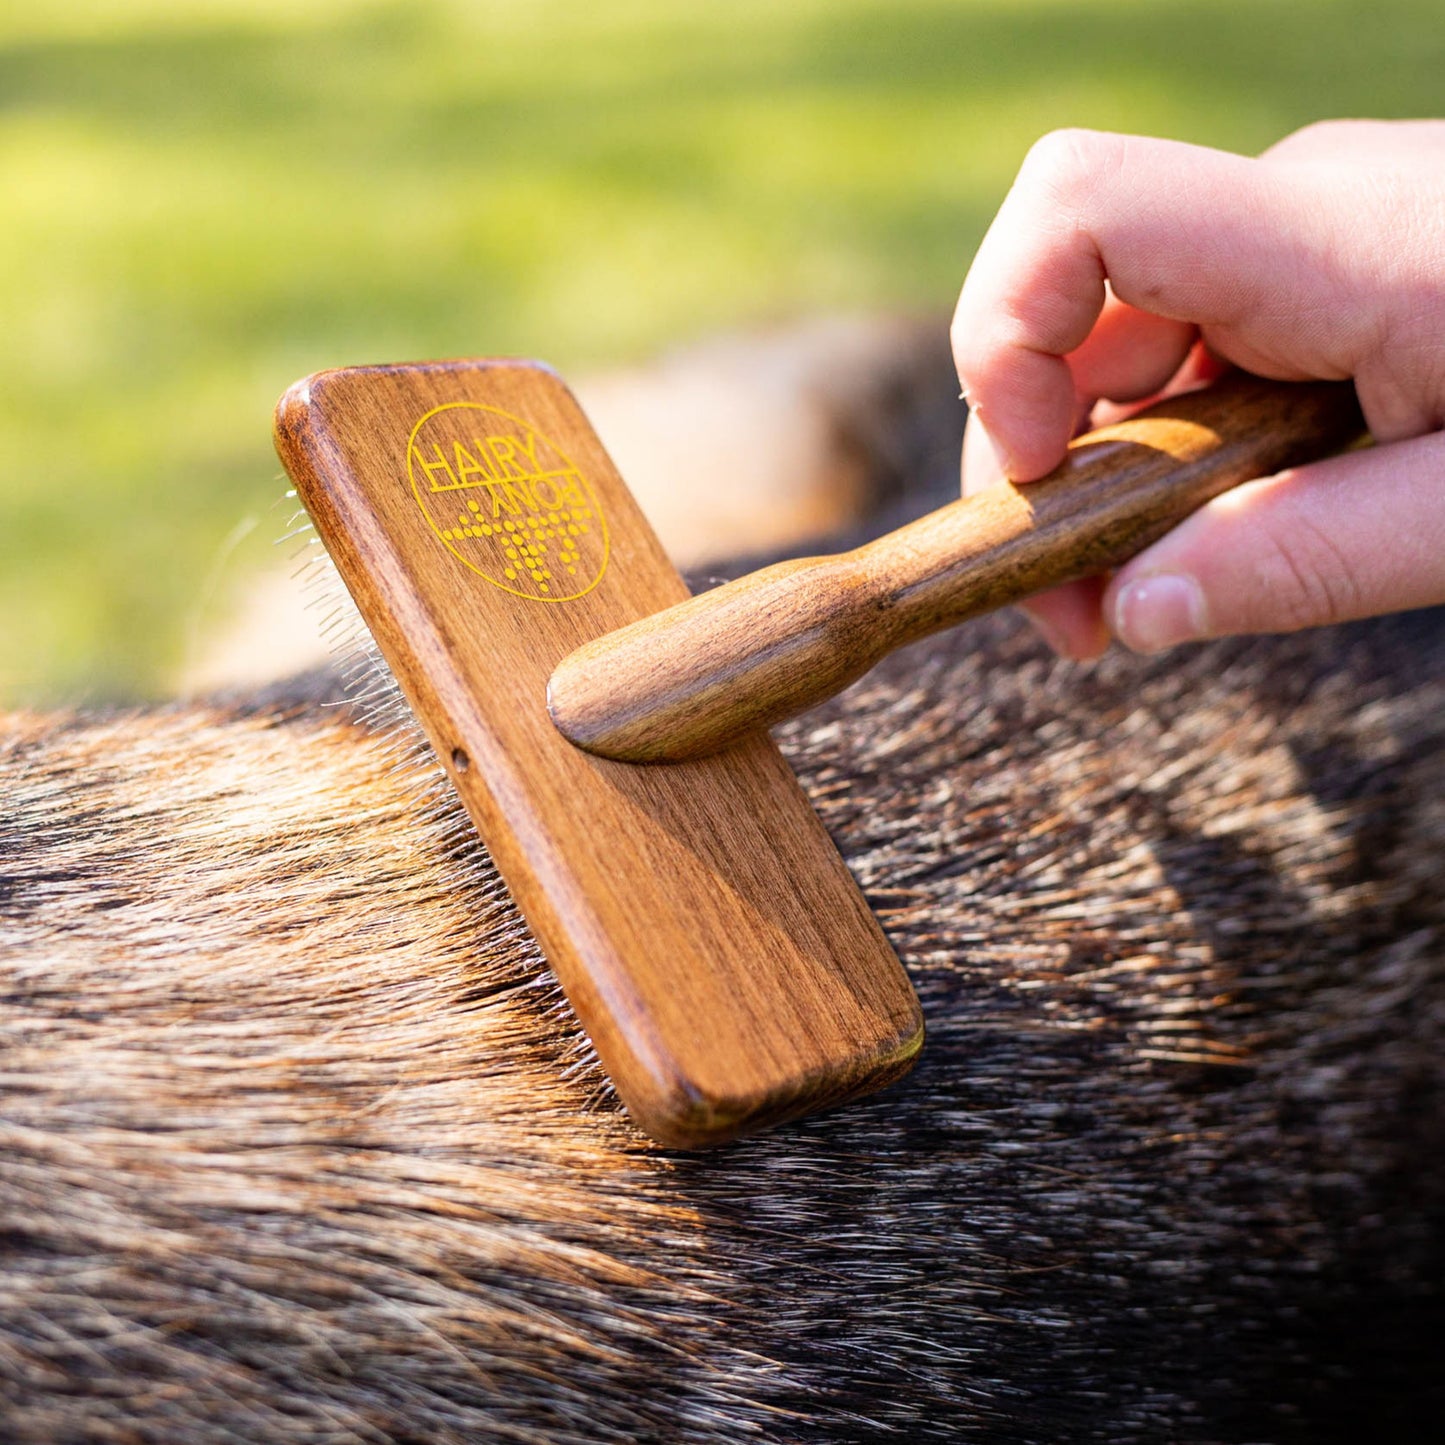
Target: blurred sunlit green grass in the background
[(206, 200)]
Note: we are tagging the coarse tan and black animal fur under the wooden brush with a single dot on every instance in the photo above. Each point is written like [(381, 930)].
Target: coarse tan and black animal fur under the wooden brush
[(300, 1144)]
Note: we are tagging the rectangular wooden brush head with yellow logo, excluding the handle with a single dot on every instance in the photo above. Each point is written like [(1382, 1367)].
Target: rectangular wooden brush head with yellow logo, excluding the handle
[(699, 917)]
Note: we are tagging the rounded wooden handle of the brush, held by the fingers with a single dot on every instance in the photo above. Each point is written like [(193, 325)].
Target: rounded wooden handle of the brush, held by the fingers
[(699, 676)]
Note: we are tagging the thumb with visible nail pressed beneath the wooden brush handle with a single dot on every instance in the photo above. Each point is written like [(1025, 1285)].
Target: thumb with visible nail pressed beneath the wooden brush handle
[(1345, 538)]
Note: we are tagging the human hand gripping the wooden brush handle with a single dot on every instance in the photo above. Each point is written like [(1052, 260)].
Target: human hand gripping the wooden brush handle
[(1121, 268)]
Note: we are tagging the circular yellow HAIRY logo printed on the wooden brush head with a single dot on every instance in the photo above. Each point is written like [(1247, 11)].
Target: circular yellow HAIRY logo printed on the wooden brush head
[(508, 502)]
